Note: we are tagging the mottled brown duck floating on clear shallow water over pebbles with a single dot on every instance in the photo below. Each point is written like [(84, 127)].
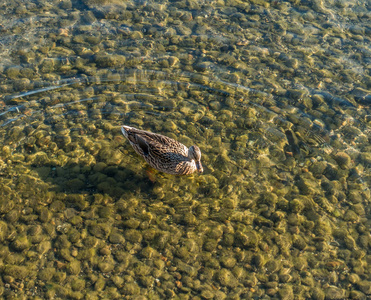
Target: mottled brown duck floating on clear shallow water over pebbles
[(163, 153)]
